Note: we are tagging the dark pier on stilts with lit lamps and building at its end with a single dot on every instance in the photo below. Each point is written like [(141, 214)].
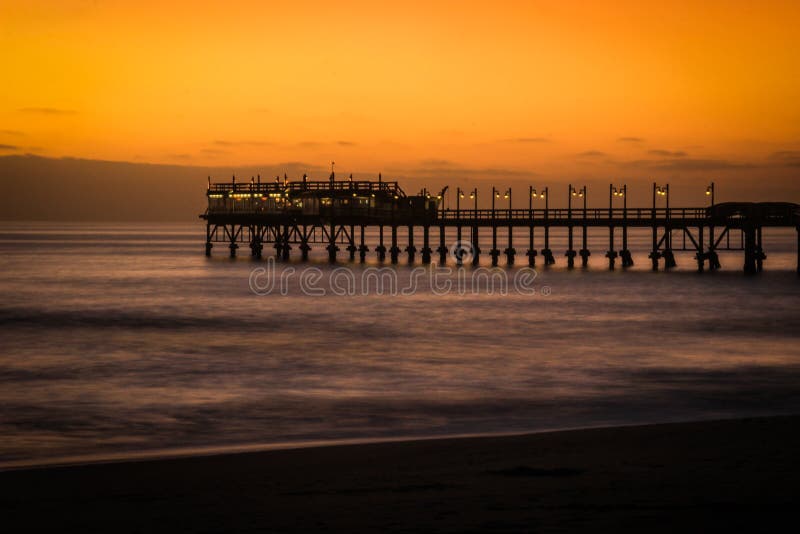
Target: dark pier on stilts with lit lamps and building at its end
[(335, 214)]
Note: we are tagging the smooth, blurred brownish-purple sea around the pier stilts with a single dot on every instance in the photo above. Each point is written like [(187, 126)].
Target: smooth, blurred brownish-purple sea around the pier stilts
[(122, 340)]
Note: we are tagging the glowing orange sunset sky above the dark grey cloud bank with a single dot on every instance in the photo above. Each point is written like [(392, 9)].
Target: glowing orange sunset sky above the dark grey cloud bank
[(554, 88)]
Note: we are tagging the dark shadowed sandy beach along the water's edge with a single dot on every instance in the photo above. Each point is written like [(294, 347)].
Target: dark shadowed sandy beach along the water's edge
[(701, 476)]
